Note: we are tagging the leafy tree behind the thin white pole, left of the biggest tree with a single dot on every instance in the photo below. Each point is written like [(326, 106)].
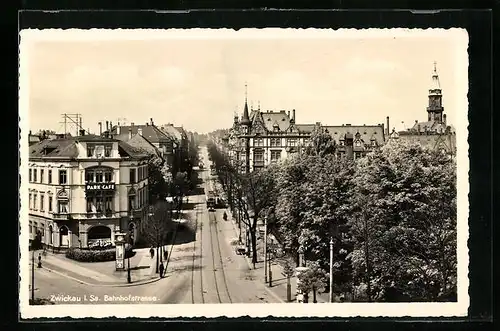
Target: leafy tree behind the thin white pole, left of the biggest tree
[(312, 205)]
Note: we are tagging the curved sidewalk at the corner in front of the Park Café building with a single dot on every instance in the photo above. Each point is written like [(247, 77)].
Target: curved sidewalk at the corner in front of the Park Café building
[(103, 273)]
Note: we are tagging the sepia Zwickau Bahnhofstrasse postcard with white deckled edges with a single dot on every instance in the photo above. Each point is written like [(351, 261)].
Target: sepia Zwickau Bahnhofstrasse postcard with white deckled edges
[(259, 172)]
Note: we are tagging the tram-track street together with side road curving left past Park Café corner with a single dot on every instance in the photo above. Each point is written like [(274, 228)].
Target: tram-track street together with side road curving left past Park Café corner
[(202, 268)]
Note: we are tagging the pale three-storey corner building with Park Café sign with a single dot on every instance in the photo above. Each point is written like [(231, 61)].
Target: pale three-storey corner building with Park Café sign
[(84, 189)]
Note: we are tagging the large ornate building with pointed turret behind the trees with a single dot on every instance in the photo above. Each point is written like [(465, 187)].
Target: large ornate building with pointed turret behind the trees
[(261, 138)]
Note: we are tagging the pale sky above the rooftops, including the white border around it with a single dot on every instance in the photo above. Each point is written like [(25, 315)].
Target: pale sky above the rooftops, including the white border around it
[(196, 79)]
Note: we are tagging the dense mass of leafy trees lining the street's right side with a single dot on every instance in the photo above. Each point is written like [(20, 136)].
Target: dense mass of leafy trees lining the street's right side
[(384, 226)]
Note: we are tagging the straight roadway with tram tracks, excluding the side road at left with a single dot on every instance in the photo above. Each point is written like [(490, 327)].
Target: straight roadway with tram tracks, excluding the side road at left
[(208, 270)]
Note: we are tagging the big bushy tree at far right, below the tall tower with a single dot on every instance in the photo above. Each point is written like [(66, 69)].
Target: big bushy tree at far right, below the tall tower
[(404, 224)]
